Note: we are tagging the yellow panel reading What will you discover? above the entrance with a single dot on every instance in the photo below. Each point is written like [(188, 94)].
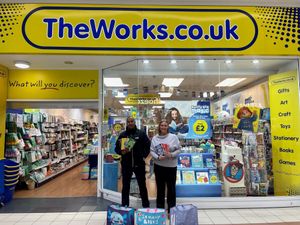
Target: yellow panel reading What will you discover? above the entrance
[(53, 84)]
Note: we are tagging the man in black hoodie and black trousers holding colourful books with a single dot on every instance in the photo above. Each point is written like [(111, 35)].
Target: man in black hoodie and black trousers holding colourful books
[(134, 146)]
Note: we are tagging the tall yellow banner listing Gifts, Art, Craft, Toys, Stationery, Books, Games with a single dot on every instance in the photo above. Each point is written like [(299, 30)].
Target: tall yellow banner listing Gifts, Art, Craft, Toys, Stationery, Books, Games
[(285, 130)]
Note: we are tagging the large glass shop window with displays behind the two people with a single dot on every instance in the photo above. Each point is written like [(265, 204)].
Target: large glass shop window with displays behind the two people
[(237, 121)]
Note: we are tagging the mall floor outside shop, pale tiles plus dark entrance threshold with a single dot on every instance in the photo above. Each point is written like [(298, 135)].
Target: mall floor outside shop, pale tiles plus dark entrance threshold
[(92, 211)]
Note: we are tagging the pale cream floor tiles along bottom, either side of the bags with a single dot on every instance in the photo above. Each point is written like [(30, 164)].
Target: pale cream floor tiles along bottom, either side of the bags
[(270, 216)]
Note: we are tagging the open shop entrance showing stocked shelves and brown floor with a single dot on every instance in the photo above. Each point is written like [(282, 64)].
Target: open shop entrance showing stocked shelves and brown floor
[(55, 146)]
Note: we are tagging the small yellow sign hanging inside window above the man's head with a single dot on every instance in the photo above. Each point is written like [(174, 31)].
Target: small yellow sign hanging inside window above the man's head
[(142, 99)]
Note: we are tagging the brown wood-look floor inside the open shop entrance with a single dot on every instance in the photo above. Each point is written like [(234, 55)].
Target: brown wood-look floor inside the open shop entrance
[(68, 184)]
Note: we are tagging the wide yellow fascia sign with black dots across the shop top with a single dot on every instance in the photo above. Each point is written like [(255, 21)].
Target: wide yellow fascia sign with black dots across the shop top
[(149, 30)]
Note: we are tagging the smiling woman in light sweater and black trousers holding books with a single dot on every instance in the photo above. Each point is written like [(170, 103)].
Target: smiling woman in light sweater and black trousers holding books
[(165, 148)]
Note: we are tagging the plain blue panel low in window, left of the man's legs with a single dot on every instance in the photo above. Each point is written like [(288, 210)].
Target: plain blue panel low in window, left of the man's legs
[(110, 176)]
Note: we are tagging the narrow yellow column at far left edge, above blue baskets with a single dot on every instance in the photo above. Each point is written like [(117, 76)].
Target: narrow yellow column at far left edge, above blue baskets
[(3, 97)]
